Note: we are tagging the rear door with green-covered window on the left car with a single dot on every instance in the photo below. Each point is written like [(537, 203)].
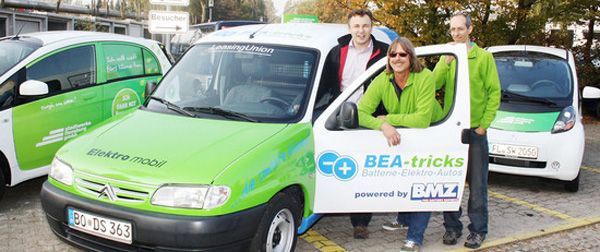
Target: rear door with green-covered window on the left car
[(125, 69)]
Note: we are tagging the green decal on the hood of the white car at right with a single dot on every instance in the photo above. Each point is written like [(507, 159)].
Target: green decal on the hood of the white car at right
[(525, 122)]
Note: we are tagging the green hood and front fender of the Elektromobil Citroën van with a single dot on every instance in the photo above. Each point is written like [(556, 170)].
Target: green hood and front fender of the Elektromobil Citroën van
[(255, 159)]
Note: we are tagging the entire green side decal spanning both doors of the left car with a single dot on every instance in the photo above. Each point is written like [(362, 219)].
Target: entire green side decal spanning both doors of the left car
[(41, 127)]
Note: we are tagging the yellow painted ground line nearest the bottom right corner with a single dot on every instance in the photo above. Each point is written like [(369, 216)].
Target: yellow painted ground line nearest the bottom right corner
[(578, 223)]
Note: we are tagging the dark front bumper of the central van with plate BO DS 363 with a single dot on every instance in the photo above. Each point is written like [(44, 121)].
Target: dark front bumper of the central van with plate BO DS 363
[(152, 231)]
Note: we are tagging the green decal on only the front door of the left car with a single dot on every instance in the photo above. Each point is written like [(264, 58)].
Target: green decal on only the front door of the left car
[(42, 127)]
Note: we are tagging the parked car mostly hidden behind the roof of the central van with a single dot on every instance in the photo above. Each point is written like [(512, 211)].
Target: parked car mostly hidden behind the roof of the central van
[(181, 42)]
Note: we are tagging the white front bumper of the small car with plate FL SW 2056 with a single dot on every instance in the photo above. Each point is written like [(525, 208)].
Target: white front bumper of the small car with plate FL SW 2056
[(559, 155)]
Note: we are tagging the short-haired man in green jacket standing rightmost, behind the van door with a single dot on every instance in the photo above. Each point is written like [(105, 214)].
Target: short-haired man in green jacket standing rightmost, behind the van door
[(485, 100)]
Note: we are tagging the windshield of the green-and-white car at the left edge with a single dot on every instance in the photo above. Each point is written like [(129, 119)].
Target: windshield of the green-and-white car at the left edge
[(13, 51)]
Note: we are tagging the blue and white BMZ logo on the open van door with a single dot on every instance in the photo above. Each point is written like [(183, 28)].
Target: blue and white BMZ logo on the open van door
[(434, 192)]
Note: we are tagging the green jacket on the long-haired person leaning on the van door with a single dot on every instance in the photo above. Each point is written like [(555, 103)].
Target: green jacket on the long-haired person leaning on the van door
[(414, 109)]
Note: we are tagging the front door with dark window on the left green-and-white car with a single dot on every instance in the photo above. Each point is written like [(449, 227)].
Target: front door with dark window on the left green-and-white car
[(41, 125)]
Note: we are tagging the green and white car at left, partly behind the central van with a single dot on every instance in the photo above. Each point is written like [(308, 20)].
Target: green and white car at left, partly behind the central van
[(56, 85)]
